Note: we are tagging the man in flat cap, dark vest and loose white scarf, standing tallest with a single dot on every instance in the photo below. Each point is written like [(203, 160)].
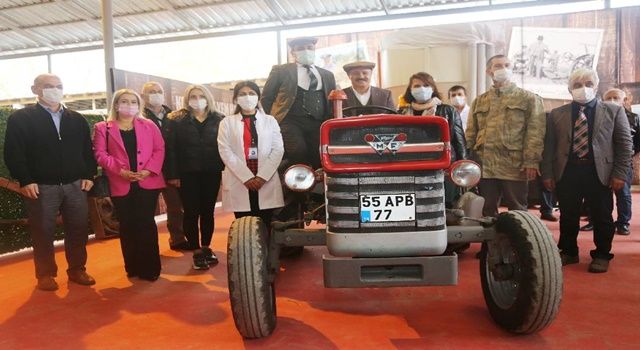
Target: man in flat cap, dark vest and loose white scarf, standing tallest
[(296, 94)]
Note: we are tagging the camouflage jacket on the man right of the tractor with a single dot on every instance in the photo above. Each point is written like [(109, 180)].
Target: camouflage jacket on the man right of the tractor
[(505, 132)]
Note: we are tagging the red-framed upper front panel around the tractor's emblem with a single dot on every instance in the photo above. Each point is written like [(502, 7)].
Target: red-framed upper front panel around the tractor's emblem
[(416, 134)]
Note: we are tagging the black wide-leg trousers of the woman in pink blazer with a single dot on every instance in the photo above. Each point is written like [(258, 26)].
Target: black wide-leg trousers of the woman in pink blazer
[(138, 232)]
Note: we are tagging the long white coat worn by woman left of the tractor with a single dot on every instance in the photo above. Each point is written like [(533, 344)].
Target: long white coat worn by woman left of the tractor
[(235, 196)]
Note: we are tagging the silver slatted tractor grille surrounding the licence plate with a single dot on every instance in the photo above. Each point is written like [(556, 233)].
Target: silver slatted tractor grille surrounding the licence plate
[(343, 200)]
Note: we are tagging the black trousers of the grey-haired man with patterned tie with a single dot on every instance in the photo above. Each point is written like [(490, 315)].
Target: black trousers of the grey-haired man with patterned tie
[(580, 182)]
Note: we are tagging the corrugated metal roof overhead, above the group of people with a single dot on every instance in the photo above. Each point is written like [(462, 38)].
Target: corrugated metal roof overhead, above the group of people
[(39, 27)]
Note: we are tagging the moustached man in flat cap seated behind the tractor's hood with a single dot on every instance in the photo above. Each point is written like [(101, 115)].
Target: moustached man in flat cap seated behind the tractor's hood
[(361, 94)]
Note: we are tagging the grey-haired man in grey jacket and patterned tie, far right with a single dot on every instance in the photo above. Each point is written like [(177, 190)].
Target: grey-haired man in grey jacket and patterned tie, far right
[(587, 154)]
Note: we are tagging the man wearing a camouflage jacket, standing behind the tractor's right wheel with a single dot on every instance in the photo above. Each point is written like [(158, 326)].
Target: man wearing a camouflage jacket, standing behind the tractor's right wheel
[(505, 134)]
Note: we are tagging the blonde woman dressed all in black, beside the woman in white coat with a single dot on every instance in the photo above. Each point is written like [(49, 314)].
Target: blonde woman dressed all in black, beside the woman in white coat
[(193, 164)]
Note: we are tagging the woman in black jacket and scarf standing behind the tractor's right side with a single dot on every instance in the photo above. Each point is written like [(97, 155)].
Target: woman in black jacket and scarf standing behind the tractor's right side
[(423, 98)]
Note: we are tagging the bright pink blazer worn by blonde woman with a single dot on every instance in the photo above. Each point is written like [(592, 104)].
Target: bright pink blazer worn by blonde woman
[(150, 154)]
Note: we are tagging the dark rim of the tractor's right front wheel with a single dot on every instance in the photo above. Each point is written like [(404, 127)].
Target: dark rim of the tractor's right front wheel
[(504, 291)]
